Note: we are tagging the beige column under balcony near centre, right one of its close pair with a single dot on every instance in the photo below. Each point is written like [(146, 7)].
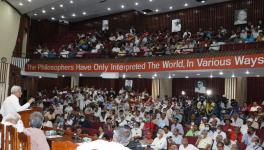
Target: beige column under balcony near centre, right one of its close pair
[(165, 87)]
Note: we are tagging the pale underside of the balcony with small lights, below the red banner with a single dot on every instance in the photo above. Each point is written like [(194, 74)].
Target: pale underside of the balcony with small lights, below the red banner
[(227, 73)]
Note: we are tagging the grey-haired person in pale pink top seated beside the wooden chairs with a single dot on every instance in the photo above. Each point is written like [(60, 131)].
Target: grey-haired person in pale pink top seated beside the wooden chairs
[(37, 136)]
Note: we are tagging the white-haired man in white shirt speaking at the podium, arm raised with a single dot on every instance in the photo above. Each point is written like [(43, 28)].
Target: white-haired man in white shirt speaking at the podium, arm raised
[(11, 104)]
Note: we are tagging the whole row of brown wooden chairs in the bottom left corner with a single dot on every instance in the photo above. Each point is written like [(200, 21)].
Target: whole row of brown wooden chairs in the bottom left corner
[(13, 140)]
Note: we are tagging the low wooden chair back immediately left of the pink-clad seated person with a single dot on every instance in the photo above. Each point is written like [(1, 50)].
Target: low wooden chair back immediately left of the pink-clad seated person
[(23, 141)]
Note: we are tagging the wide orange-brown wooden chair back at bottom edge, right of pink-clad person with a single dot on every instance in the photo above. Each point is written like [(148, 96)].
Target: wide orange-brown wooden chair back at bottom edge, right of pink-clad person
[(63, 145)]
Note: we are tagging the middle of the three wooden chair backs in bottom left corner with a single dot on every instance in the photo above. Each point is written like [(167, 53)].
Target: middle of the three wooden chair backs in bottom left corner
[(10, 138)]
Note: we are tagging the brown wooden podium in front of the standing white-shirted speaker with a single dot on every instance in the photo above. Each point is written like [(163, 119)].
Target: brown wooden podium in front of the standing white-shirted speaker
[(26, 113)]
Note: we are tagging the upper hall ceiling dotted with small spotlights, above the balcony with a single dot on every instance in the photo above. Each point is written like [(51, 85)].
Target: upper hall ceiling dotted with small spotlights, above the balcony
[(94, 8)]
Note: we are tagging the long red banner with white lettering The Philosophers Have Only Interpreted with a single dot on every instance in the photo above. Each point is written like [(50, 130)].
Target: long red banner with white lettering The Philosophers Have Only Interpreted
[(227, 62)]
